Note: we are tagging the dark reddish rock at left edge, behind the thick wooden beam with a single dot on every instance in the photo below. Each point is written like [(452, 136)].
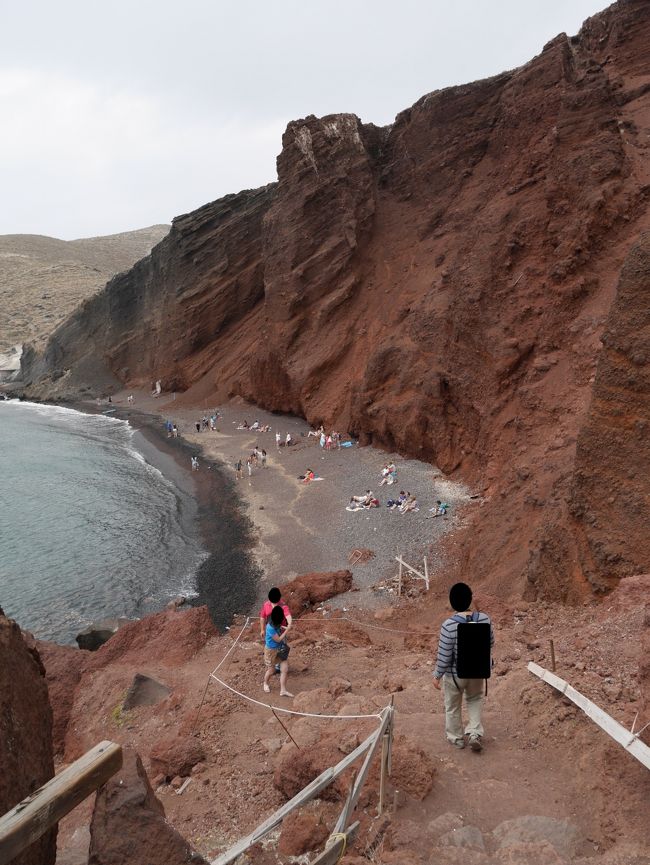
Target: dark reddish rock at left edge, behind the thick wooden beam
[(25, 733)]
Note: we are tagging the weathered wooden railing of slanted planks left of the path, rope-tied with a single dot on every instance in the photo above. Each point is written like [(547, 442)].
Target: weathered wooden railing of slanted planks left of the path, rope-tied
[(342, 834)]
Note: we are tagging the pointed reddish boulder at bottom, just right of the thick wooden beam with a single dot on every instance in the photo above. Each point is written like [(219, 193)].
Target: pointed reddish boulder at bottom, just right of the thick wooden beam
[(128, 825)]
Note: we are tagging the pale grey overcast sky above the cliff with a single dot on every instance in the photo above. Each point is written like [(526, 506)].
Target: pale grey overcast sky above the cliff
[(123, 114)]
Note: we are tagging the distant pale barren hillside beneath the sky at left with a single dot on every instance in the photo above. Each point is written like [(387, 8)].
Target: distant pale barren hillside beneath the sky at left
[(43, 279)]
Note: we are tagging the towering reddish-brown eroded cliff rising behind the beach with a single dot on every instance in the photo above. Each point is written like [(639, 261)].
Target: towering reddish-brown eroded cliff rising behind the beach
[(438, 287)]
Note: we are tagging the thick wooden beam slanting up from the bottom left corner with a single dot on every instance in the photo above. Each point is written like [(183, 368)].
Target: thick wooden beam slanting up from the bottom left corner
[(32, 817)]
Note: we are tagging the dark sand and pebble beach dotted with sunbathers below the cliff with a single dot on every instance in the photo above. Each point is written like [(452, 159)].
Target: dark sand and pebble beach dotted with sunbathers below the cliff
[(269, 527)]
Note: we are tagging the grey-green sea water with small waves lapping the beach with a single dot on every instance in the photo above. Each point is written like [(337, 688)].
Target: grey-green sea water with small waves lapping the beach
[(88, 529)]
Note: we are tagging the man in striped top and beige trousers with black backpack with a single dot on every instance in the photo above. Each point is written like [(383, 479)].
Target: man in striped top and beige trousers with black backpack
[(463, 666)]
